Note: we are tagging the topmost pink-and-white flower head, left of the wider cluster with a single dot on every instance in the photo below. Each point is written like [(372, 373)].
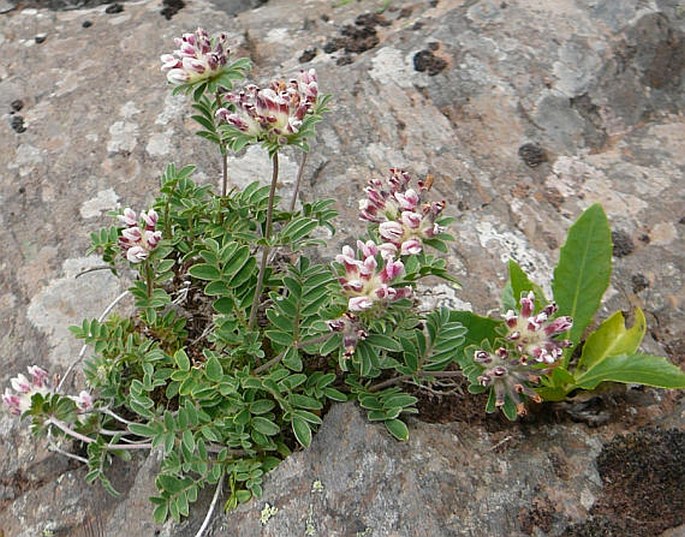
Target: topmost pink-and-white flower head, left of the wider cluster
[(197, 58)]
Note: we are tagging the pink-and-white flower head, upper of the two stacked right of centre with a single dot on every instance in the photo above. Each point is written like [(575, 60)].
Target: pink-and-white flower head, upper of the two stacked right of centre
[(404, 220)]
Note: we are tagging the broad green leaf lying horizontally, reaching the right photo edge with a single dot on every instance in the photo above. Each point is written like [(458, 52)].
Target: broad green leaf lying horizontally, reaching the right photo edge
[(635, 368)]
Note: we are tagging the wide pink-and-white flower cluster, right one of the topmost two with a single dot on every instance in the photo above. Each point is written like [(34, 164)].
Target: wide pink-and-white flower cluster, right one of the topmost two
[(273, 113)]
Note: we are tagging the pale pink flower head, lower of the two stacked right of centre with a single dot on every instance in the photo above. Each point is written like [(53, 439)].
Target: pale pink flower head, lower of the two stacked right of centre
[(365, 281)]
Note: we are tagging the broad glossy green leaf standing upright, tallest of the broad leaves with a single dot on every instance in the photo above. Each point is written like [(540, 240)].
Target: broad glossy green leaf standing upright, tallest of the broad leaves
[(584, 269)]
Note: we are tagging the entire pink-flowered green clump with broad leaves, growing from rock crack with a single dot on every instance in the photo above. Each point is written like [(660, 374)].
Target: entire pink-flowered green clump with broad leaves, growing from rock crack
[(240, 340)]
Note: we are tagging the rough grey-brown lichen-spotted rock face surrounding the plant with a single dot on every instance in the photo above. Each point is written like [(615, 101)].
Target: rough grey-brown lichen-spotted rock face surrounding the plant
[(525, 113)]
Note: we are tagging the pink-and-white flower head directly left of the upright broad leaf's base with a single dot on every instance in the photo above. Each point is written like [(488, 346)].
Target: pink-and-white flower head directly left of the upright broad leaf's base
[(533, 334)]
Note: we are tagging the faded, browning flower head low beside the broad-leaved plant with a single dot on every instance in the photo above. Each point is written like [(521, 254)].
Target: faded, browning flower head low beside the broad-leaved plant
[(510, 376)]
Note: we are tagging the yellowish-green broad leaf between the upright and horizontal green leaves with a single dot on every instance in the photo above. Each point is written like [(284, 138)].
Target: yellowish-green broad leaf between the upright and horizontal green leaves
[(613, 338)]
